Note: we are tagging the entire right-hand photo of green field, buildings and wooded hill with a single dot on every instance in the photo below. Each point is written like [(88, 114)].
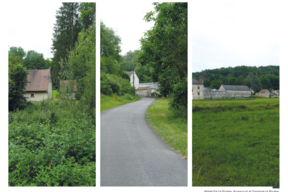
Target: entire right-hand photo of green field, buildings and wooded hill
[(236, 91)]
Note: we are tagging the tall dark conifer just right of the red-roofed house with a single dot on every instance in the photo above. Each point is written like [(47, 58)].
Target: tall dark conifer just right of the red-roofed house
[(65, 35)]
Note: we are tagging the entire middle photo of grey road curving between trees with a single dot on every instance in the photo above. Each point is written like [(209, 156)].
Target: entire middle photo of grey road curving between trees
[(143, 135)]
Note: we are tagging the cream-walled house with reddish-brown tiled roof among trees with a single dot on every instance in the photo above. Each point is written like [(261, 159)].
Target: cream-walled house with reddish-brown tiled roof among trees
[(39, 86)]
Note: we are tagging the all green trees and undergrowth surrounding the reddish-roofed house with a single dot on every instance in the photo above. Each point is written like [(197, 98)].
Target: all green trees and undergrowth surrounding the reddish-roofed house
[(52, 143)]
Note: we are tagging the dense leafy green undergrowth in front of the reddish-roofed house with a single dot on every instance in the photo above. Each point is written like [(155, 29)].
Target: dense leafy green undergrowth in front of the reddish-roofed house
[(52, 143)]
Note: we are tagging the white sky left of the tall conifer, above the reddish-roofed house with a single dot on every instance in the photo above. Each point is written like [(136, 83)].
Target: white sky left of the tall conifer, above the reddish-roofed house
[(30, 25)]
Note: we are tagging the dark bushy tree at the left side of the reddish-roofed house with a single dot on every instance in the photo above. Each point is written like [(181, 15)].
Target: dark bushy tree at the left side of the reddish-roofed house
[(17, 83)]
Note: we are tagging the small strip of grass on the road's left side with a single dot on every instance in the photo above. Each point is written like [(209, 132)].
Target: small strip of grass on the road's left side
[(108, 102)]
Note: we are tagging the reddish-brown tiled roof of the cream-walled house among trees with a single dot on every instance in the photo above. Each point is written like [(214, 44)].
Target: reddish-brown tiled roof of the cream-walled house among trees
[(38, 80)]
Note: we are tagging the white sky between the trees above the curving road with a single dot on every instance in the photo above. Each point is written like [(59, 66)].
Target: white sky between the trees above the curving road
[(126, 19)]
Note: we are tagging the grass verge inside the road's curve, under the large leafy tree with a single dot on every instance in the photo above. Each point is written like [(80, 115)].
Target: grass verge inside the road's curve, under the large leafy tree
[(172, 130)]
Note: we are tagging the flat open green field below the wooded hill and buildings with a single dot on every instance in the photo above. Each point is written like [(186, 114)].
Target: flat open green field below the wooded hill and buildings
[(236, 142)]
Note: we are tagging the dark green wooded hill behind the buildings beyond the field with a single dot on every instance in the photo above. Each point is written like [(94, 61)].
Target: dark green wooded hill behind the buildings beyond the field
[(257, 78)]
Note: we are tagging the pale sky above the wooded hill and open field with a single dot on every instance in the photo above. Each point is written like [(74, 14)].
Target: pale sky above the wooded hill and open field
[(233, 33)]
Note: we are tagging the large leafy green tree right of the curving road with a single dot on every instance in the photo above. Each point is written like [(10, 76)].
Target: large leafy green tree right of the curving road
[(164, 50)]
